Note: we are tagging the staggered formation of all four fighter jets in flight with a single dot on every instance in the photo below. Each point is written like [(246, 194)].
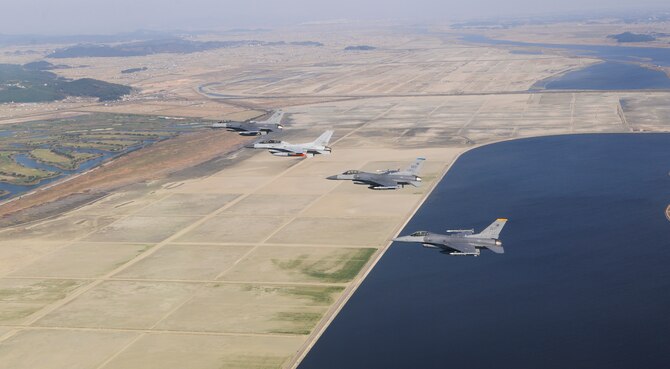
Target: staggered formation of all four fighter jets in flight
[(461, 242)]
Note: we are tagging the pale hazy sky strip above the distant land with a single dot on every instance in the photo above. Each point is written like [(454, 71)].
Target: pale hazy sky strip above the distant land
[(111, 16)]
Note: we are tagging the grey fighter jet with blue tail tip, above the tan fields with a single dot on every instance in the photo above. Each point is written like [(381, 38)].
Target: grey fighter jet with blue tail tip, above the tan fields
[(388, 179)]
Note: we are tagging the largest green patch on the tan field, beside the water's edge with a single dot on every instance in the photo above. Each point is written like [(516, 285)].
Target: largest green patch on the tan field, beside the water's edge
[(342, 267)]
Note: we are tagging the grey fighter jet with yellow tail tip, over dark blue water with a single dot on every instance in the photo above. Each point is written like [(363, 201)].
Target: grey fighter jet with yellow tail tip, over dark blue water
[(461, 241)]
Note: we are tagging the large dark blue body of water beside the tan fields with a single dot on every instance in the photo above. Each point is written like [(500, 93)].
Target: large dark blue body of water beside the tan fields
[(584, 281)]
